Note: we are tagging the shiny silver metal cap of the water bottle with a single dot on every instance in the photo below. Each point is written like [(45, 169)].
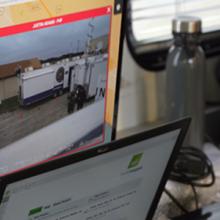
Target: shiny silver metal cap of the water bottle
[(187, 24)]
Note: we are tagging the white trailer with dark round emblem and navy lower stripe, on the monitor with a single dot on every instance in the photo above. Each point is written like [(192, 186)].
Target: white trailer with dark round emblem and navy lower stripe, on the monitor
[(36, 85)]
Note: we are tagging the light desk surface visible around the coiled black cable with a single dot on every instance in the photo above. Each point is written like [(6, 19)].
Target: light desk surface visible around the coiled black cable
[(184, 193)]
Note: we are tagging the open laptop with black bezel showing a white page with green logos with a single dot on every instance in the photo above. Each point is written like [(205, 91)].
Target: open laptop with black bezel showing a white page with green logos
[(121, 180)]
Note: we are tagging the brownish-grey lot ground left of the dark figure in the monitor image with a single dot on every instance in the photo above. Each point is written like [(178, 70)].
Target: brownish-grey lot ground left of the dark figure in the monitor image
[(18, 124)]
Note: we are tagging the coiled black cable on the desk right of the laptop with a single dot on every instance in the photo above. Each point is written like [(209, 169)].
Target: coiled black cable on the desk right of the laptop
[(191, 166)]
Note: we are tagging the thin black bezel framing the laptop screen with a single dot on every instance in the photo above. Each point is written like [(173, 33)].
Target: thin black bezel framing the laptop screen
[(103, 149)]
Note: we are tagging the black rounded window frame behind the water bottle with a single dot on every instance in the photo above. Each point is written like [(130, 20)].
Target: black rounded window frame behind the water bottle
[(153, 56)]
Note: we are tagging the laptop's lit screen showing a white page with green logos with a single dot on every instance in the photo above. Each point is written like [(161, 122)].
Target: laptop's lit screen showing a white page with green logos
[(117, 185)]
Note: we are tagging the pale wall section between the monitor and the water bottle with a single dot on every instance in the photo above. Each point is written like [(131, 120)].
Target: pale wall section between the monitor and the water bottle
[(142, 95)]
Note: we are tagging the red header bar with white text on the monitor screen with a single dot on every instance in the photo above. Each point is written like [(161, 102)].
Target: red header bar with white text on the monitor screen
[(50, 22)]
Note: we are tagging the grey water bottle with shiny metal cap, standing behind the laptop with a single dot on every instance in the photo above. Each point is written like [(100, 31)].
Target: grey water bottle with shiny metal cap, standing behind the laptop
[(185, 71)]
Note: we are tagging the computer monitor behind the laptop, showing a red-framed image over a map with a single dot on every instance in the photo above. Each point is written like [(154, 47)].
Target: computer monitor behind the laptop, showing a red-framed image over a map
[(59, 77)]
